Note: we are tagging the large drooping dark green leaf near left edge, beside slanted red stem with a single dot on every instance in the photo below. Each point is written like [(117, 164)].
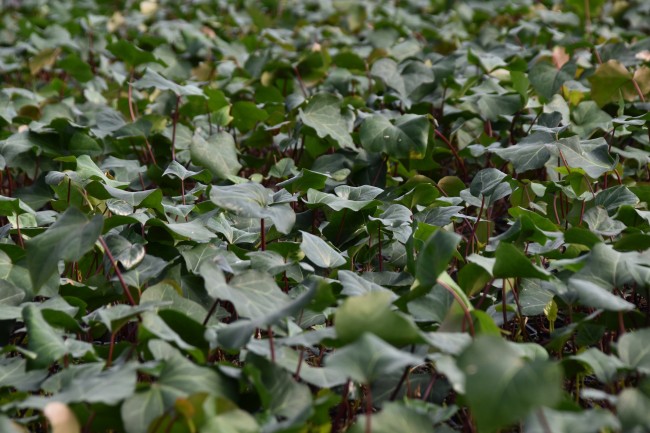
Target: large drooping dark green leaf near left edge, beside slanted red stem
[(69, 238)]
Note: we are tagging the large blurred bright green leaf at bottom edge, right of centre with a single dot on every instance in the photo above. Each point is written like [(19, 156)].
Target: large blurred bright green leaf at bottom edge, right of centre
[(495, 375)]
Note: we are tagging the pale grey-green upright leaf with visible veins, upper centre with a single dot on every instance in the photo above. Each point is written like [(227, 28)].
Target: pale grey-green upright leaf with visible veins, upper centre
[(323, 114)]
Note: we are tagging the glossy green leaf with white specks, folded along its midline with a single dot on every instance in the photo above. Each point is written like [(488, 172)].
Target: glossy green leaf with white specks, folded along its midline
[(407, 138)]
